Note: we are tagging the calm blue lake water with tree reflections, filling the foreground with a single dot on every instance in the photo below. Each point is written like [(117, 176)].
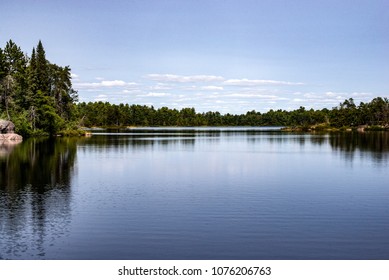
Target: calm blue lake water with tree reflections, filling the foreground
[(221, 193)]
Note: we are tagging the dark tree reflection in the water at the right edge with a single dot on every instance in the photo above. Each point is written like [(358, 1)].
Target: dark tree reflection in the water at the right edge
[(374, 144)]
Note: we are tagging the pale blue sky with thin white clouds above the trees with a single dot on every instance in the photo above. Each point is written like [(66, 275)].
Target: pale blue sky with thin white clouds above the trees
[(215, 55)]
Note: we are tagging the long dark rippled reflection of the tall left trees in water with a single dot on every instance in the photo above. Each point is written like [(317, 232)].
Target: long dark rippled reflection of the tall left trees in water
[(35, 196)]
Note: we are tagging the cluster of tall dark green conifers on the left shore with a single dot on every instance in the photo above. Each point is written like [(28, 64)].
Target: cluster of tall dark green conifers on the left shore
[(35, 94)]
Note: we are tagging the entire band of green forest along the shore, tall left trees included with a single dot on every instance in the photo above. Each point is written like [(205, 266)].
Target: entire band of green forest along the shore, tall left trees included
[(38, 97)]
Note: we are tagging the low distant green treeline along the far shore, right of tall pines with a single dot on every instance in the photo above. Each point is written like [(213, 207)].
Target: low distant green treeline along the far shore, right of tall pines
[(347, 114)]
